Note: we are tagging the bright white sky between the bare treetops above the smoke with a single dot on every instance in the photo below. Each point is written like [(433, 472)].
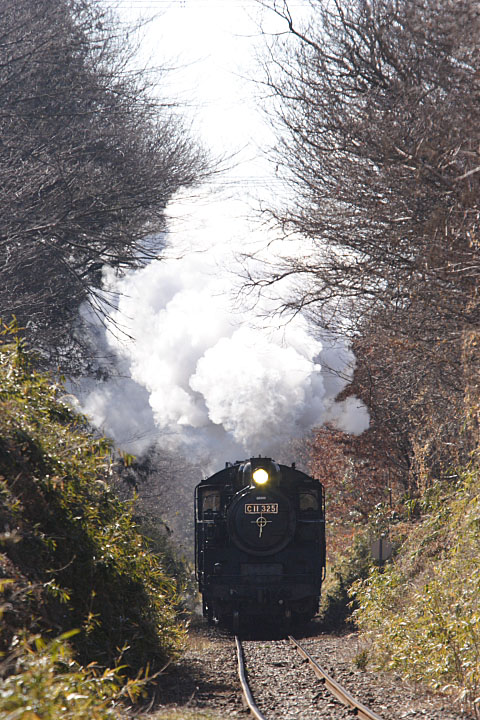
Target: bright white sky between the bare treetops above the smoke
[(213, 44)]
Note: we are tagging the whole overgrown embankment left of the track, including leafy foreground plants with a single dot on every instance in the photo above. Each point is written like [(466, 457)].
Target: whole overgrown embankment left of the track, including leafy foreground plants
[(86, 609)]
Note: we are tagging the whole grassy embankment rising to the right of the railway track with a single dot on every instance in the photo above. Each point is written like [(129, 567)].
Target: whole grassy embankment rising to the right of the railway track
[(419, 615)]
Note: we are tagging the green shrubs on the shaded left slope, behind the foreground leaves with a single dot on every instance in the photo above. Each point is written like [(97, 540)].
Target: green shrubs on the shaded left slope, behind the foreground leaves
[(71, 556)]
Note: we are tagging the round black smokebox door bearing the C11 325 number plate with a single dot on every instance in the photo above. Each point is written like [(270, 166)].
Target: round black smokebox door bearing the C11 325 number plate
[(261, 522)]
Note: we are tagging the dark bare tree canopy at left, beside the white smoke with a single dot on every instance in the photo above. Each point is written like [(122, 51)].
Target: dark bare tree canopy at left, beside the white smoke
[(88, 161)]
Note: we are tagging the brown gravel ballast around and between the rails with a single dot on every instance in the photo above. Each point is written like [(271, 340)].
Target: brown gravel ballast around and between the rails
[(205, 683)]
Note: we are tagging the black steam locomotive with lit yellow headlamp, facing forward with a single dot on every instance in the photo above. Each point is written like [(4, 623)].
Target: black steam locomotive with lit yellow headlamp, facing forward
[(259, 543)]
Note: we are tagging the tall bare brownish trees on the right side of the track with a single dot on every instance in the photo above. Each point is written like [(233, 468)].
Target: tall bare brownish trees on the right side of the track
[(375, 107)]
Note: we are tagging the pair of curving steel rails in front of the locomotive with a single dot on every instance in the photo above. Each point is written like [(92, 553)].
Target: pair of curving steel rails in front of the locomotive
[(334, 688)]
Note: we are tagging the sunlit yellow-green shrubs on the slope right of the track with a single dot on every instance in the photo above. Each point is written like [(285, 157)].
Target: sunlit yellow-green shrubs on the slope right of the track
[(422, 615)]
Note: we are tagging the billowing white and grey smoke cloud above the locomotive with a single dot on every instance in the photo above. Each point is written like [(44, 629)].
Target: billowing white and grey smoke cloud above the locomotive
[(197, 373)]
